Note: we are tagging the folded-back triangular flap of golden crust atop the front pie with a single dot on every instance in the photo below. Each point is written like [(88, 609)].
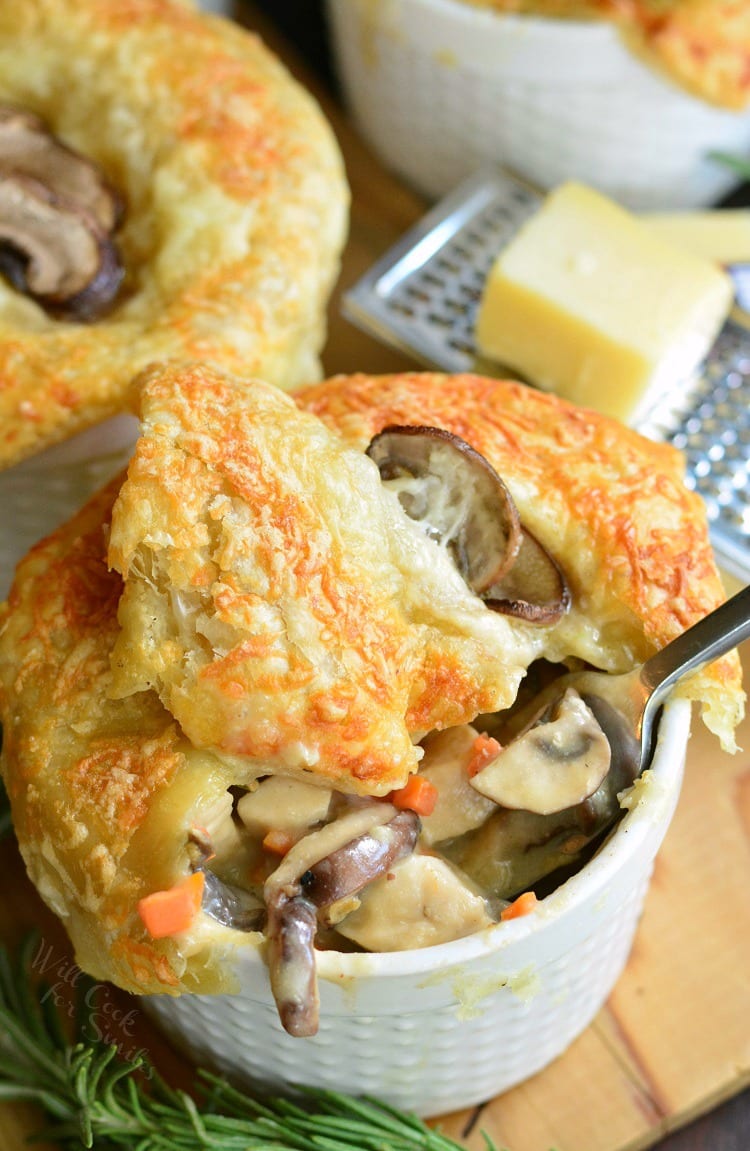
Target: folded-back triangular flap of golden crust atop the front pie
[(279, 599)]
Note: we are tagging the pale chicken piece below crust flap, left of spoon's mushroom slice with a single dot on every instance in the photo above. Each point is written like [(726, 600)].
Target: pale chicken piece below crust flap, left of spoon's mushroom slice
[(460, 807)]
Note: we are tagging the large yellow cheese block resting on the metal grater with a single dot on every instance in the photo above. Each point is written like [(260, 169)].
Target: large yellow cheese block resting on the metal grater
[(587, 302)]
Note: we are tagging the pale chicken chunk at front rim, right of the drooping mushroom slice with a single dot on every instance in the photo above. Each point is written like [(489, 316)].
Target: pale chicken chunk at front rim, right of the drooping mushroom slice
[(423, 902)]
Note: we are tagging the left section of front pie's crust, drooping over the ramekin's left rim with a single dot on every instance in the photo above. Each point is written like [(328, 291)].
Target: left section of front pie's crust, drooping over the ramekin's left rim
[(103, 791)]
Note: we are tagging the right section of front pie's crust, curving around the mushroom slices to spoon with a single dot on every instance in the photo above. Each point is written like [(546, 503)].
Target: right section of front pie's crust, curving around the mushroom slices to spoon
[(610, 506)]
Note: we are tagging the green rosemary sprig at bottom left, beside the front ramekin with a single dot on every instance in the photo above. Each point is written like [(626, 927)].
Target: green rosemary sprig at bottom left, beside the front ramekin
[(96, 1099)]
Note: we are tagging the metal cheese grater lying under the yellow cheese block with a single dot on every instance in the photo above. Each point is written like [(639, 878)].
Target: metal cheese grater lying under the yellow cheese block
[(422, 299)]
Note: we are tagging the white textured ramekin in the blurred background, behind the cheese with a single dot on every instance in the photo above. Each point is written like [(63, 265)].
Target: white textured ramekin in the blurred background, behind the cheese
[(440, 89)]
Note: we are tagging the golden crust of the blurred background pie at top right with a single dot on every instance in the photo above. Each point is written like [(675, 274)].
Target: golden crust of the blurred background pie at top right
[(705, 45)]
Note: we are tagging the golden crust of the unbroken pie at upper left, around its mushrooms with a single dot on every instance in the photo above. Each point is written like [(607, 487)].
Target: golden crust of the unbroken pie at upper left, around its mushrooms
[(235, 205)]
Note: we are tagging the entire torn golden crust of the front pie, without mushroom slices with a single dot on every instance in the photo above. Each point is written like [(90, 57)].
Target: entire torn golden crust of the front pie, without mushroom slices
[(262, 557)]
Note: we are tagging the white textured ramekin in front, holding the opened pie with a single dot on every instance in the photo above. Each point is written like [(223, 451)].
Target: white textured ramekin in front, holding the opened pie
[(451, 1026)]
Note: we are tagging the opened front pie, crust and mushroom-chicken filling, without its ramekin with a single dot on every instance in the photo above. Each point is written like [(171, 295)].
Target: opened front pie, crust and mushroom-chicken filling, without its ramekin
[(287, 684)]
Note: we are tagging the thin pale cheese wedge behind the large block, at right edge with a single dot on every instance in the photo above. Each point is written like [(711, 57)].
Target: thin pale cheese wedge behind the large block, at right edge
[(722, 235)]
